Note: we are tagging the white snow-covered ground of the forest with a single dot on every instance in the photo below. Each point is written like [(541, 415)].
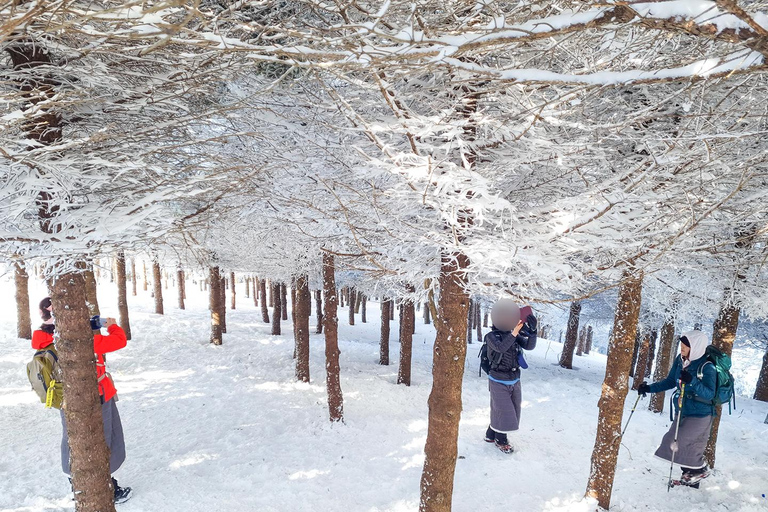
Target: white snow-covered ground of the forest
[(227, 428)]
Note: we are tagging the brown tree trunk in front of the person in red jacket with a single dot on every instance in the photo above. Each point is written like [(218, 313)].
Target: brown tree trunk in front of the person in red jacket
[(89, 454)]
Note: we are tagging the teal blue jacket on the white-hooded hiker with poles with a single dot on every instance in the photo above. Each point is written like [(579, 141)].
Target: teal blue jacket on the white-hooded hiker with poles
[(703, 388)]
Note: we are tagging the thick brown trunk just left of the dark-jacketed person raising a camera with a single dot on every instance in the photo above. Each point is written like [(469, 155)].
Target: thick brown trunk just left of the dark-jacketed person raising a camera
[(450, 352)]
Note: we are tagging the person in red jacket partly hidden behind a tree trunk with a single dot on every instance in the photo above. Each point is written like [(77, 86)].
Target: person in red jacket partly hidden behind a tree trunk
[(113, 428)]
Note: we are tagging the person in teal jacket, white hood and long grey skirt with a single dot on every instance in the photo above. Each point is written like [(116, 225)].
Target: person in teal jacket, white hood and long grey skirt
[(694, 378)]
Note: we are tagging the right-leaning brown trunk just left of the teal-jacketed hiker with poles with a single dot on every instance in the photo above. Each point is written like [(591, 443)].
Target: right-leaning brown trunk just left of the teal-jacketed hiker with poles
[(615, 387)]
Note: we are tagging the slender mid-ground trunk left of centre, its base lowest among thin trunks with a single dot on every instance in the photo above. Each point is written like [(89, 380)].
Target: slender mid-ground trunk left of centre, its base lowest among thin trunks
[(332, 379)]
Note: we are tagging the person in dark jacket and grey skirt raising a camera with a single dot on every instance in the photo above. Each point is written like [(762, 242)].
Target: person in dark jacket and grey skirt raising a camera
[(508, 337)]
